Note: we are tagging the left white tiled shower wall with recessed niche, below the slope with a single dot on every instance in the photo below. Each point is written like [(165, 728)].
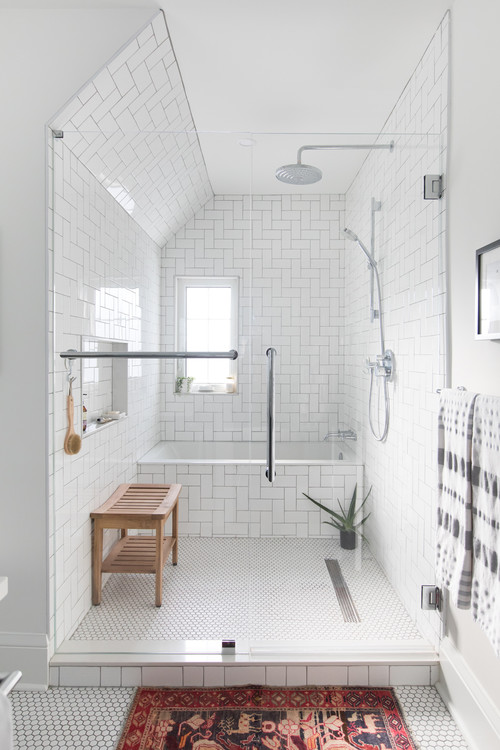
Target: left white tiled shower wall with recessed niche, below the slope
[(106, 283)]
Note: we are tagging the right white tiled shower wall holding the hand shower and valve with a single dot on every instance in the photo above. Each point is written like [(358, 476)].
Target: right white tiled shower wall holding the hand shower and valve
[(409, 248)]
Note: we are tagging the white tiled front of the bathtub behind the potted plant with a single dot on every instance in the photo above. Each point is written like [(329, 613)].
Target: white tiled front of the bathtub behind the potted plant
[(237, 499)]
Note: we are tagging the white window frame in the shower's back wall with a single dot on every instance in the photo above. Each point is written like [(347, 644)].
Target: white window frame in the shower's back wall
[(182, 283)]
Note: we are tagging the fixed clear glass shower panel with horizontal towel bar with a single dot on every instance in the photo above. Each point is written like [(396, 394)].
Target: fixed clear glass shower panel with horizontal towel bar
[(120, 249)]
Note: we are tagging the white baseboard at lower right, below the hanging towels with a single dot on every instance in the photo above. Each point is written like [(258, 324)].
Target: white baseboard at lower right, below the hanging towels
[(475, 714)]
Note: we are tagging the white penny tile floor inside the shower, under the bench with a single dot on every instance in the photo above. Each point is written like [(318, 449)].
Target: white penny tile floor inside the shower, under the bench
[(266, 589)]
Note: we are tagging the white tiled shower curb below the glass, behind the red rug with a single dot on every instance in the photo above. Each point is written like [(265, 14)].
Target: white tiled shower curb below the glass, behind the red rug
[(381, 667)]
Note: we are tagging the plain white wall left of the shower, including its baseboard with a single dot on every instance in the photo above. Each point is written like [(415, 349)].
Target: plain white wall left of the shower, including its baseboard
[(48, 56)]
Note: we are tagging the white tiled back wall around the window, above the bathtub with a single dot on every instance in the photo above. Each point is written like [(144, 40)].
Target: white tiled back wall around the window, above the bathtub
[(288, 255)]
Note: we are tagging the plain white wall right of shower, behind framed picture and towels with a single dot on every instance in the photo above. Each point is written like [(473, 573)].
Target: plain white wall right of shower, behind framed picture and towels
[(474, 221)]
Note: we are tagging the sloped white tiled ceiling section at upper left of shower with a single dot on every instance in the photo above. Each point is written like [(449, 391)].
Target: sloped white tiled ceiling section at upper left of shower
[(131, 126)]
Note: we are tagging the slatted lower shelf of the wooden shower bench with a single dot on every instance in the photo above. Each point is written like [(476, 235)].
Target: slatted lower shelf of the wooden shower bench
[(136, 554)]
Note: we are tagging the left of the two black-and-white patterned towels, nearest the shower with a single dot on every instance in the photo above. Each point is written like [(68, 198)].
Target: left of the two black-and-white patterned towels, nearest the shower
[(454, 522)]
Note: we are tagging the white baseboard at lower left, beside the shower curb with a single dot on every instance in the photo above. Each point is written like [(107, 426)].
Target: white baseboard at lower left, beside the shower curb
[(28, 652)]
